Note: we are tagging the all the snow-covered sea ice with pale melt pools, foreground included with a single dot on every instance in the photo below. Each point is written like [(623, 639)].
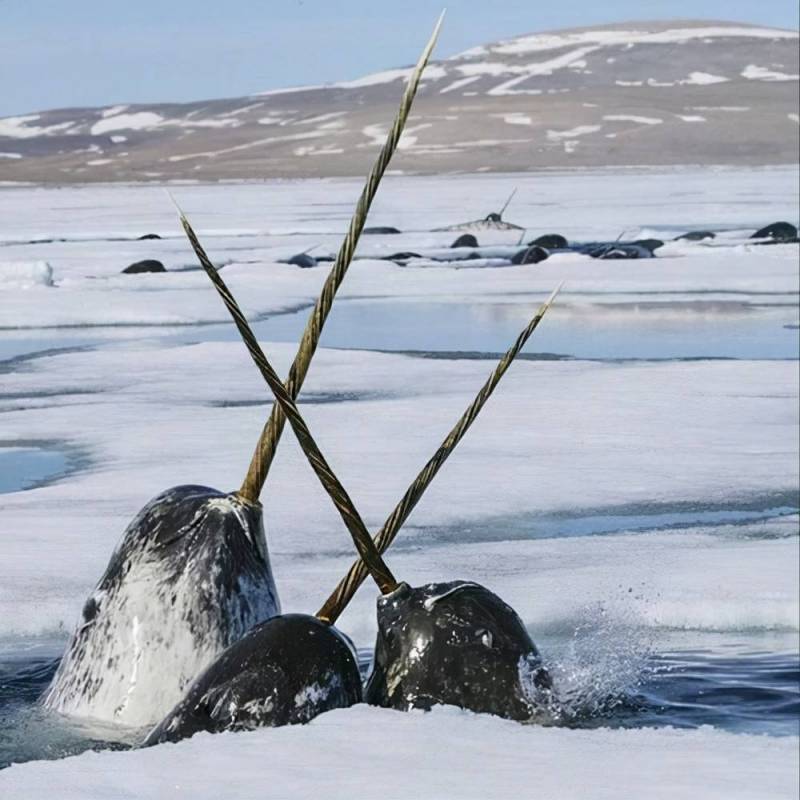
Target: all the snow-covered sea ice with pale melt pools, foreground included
[(624, 466)]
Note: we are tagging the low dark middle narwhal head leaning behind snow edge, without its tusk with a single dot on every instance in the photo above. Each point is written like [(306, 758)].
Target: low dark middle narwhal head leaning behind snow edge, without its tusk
[(285, 671)]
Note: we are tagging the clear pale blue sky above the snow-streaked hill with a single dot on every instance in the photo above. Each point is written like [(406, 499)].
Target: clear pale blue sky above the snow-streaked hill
[(55, 53)]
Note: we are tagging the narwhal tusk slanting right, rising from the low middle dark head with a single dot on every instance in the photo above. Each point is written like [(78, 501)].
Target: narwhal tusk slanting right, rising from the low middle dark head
[(347, 587)]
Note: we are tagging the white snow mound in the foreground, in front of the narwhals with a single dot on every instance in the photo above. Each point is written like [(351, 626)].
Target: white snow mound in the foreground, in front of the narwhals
[(443, 754)]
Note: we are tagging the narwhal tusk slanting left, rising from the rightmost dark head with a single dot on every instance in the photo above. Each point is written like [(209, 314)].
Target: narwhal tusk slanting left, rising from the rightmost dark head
[(352, 520)]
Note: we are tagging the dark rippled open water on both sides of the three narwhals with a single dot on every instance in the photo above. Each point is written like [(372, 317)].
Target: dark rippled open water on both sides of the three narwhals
[(743, 691)]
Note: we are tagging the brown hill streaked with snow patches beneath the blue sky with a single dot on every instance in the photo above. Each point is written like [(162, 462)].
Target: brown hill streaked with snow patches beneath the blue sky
[(679, 92)]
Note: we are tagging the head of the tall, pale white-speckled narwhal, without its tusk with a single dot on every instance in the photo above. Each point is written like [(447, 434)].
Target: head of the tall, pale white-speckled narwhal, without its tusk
[(190, 576)]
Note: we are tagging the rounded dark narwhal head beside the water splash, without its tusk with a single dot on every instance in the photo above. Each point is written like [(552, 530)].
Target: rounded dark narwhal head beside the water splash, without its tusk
[(458, 644)]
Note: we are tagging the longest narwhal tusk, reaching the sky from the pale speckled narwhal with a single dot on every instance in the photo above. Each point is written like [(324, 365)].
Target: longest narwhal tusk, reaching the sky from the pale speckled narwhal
[(271, 434)]
